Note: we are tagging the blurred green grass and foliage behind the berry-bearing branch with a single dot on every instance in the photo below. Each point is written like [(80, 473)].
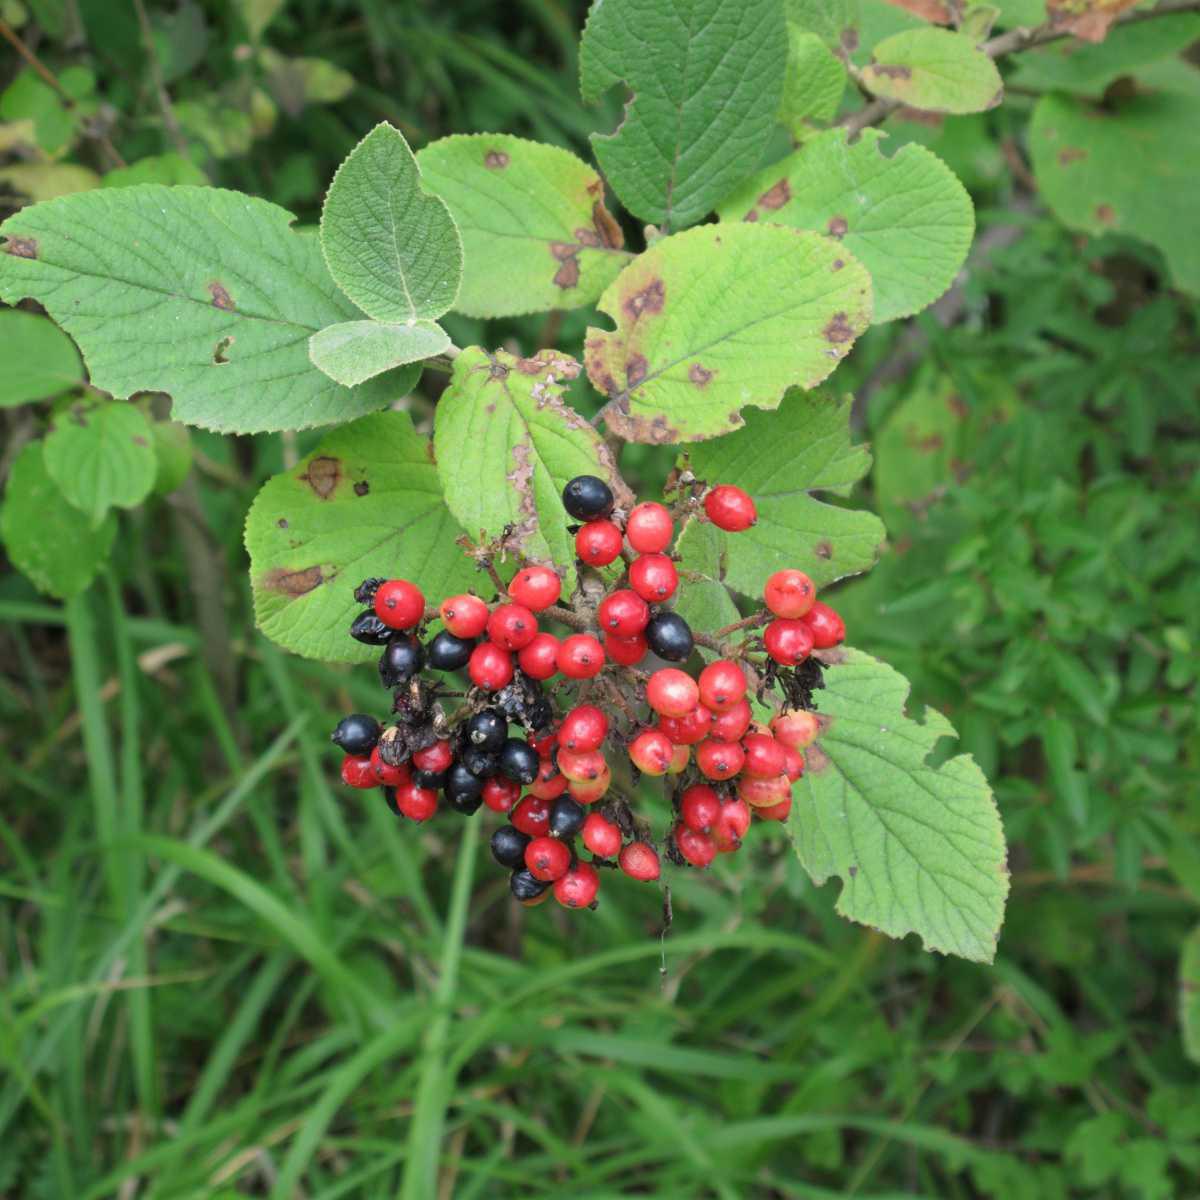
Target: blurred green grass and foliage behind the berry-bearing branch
[(224, 977)]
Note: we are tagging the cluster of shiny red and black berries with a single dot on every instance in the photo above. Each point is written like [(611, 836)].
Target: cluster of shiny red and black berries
[(554, 783)]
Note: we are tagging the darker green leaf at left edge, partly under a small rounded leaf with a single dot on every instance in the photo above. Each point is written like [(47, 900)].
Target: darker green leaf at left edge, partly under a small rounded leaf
[(47, 539)]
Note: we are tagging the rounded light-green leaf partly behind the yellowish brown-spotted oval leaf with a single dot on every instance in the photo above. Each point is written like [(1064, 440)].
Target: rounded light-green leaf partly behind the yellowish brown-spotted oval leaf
[(905, 218)]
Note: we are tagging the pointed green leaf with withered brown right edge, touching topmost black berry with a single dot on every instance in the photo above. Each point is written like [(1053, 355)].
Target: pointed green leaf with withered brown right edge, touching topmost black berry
[(507, 443)]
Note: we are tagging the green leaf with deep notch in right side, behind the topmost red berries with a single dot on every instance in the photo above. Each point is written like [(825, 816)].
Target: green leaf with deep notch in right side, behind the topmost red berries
[(782, 459)]
